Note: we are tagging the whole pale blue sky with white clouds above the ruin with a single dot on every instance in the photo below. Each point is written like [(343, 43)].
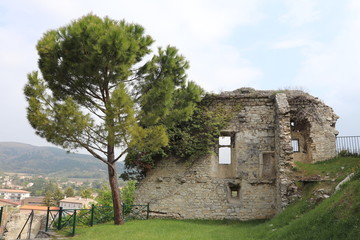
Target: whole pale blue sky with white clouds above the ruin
[(312, 45)]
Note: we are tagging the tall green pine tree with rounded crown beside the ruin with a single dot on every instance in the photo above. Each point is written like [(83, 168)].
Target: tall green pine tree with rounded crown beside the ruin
[(97, 93)]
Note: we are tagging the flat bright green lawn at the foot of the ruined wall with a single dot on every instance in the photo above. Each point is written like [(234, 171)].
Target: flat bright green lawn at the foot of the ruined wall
[(156, 229)]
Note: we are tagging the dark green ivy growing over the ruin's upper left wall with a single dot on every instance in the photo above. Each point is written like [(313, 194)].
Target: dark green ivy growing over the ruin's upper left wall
[(189, 139)]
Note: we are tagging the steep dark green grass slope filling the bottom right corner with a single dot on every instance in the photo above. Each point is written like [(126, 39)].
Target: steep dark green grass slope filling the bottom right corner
[(335, 218)]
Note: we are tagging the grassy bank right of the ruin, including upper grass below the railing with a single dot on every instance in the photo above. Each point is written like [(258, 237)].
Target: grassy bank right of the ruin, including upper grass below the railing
[(334, 218)]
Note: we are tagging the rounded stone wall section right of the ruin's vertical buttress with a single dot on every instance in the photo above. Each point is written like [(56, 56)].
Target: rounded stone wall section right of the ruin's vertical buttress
[(314, 126)]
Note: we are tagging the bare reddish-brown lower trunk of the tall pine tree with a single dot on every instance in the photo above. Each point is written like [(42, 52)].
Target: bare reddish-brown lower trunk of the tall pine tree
[(115, 191)]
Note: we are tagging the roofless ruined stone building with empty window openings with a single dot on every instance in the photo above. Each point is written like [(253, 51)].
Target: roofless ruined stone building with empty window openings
[(246, 177)]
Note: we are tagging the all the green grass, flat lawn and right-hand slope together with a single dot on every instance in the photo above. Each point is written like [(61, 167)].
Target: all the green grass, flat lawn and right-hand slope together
[(337, 217)]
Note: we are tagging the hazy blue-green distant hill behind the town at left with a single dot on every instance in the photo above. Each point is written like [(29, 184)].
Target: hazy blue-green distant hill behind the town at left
[(25, 158)]
